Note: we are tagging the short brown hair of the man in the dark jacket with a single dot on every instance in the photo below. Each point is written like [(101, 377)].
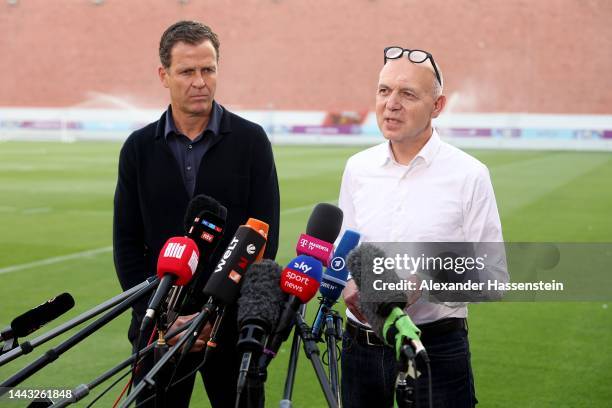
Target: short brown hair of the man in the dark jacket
[(190, 32)]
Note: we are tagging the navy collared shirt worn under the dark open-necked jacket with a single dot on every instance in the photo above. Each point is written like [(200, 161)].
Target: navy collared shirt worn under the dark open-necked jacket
[(188, 153)]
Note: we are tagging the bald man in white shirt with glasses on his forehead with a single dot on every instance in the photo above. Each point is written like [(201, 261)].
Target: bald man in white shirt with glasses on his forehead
[(414, 187)]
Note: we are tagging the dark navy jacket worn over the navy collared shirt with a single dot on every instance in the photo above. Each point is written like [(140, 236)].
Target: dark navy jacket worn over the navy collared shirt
[(151, 199)]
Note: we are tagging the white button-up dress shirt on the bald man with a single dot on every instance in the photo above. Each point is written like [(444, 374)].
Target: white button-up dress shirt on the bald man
[(443, 195)]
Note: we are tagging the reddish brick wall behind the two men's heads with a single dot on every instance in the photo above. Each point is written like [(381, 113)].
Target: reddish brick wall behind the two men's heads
[(545, 56)]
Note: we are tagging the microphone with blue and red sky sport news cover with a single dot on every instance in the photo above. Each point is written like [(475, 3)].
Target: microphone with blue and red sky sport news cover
[(300, 280)]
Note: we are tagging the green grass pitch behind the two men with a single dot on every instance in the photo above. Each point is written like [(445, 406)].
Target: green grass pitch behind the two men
[(56, 199)]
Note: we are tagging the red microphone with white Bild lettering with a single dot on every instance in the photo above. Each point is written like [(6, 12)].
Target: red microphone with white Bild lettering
[(176, 264)]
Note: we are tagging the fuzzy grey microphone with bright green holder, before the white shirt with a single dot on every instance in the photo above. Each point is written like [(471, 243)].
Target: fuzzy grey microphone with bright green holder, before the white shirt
[(386, 315)]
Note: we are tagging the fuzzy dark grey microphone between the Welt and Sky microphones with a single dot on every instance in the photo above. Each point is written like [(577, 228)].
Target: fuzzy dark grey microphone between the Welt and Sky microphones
[(259, 308)]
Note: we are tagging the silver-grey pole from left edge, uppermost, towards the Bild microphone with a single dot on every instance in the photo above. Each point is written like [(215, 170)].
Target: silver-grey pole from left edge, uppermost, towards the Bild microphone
[(27, 346)]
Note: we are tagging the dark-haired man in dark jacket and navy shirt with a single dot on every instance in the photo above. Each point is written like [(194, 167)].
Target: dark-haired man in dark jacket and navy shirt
[(196, 147)]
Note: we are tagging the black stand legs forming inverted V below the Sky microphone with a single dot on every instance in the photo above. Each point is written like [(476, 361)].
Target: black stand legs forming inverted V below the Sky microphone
[(304, 332)]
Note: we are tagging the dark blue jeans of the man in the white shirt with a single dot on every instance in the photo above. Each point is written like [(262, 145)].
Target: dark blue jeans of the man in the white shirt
[(369, 373)]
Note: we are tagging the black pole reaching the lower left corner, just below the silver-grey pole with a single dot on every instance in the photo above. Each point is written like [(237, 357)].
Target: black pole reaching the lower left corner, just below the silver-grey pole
[(55, 352)]
